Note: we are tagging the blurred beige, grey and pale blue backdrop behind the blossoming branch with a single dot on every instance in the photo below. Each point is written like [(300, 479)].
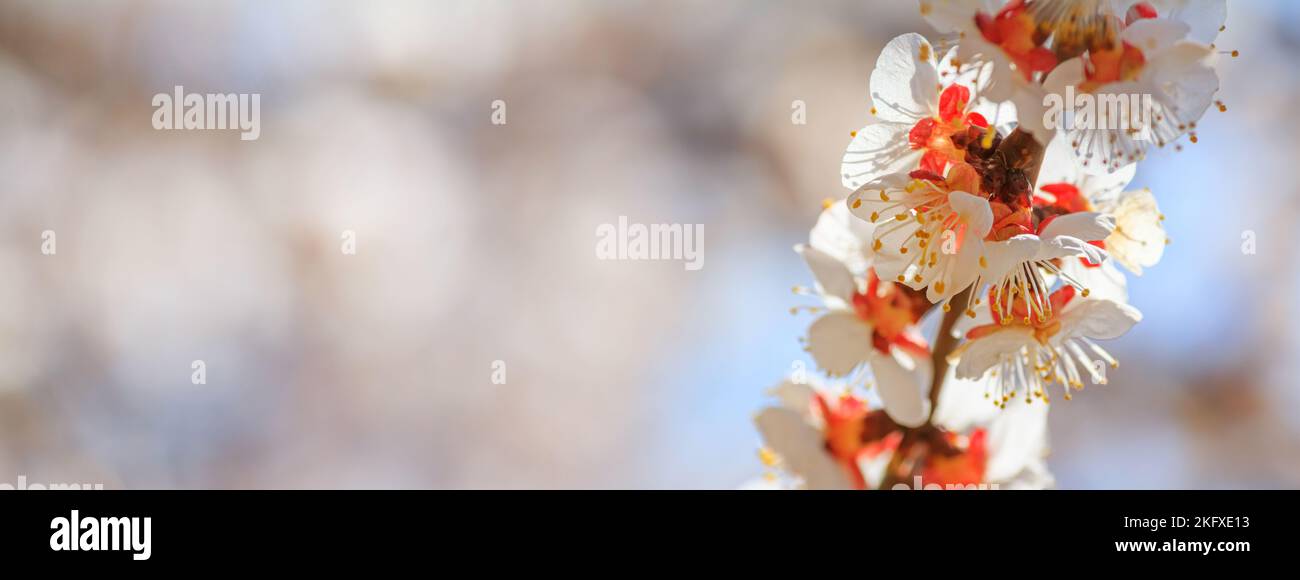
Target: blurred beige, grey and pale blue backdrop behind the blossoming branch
[(475, 245)]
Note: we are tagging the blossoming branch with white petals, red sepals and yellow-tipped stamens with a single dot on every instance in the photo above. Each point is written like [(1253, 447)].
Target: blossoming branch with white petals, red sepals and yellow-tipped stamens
[(946, 207)]
